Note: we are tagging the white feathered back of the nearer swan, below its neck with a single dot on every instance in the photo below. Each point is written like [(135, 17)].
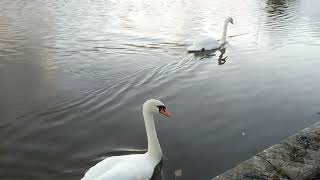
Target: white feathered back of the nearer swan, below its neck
[(129, 167)]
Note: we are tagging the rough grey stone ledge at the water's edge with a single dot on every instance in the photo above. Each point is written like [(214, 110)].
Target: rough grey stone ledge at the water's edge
[(296, 158)]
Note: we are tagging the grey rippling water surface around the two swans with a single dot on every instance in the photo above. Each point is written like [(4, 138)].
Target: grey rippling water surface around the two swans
[(74, 75)]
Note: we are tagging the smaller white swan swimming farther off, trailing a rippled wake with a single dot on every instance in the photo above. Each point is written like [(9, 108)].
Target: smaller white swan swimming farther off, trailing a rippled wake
[(209, 43)]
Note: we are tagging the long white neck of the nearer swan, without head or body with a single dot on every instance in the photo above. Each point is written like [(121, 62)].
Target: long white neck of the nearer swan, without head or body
[(154, 148)]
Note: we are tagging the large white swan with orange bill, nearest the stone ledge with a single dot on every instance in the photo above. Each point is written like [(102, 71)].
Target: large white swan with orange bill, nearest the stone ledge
[(136, 166)]
